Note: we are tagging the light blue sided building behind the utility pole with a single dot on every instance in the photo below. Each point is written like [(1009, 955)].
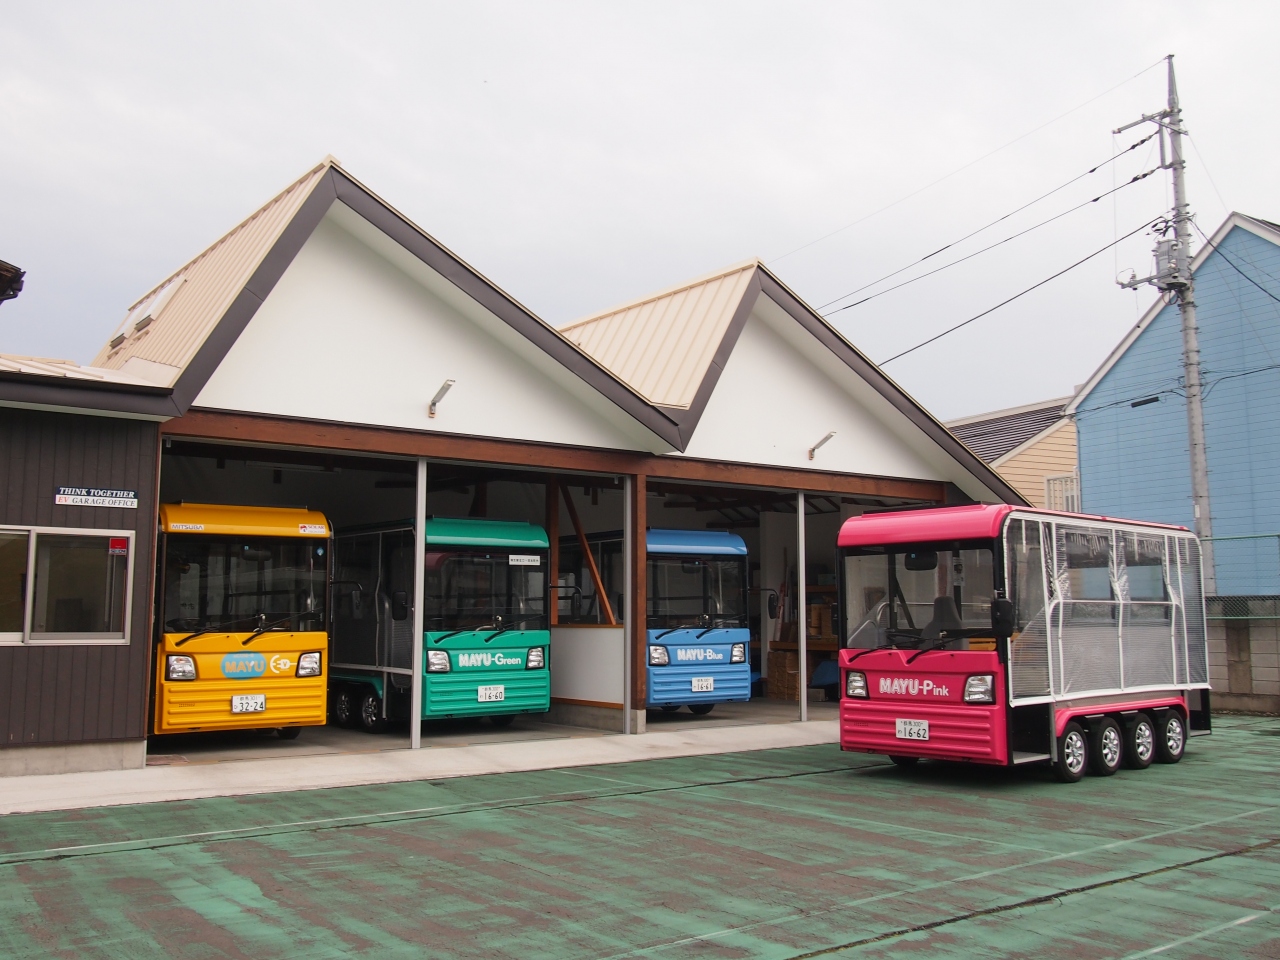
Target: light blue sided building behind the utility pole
[(1132, 414)]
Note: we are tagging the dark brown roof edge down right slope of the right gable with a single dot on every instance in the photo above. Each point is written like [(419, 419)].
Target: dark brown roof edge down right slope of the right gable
[(857, 362)]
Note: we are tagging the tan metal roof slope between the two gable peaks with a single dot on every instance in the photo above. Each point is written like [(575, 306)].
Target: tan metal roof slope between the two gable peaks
[(662, 346)]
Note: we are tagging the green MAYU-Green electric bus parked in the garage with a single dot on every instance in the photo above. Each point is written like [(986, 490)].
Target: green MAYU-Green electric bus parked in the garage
[(486, 638)]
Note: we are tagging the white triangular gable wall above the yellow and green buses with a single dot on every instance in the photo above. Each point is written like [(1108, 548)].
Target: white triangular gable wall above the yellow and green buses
[(346, 336)]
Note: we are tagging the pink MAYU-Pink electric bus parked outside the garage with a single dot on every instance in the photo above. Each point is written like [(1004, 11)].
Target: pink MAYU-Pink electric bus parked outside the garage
[(1007, 636)]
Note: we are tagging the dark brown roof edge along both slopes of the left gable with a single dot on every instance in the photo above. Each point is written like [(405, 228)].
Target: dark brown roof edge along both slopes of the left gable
[(336, 185)]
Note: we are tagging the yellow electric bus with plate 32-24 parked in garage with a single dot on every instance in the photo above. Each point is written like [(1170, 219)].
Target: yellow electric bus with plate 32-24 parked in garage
[(243, 619)]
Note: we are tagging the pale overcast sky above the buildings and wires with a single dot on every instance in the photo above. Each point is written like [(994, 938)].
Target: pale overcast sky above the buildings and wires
[(586, 154)]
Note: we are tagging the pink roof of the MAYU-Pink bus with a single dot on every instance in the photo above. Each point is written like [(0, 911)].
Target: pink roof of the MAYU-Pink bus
[(977, 522)]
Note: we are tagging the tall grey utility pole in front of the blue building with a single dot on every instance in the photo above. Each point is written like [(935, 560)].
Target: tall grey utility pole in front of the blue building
[(1174, 277)]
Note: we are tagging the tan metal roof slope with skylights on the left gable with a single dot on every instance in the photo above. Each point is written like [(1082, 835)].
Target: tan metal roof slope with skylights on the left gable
[(170, 323)]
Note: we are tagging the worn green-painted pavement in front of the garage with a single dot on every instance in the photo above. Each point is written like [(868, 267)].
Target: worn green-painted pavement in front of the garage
[(775, 854)]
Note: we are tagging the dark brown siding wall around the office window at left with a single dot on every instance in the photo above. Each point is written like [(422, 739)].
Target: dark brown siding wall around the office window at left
[(68, 694)]
